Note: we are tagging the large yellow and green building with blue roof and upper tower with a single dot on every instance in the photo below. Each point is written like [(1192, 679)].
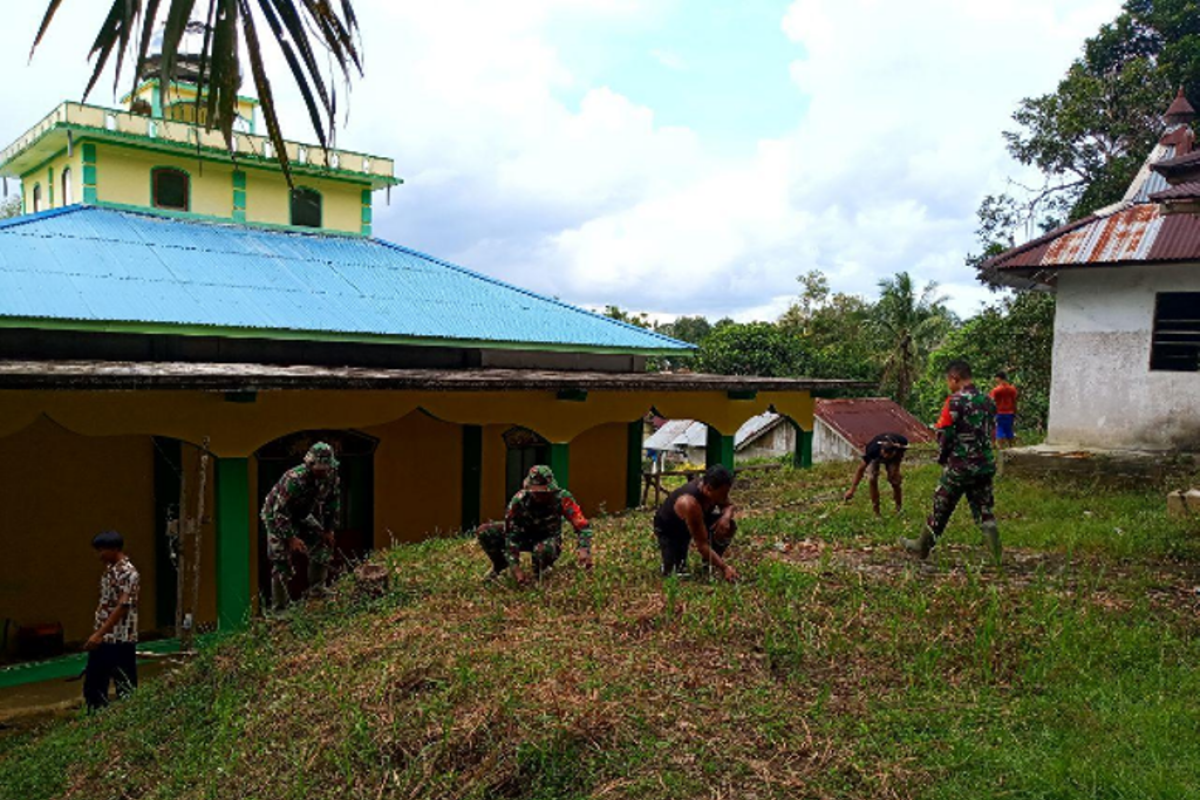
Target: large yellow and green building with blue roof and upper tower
[(164, 294)]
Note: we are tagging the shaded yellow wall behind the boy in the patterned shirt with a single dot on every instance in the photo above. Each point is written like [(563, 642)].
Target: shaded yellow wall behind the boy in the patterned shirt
[(59, 491)]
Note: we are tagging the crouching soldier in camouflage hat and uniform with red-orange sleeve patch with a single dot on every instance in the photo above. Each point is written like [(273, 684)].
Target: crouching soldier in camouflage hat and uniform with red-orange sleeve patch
[(535, 524)]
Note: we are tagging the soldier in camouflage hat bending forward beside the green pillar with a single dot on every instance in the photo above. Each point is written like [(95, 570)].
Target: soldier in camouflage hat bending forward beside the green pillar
[(299, 516)]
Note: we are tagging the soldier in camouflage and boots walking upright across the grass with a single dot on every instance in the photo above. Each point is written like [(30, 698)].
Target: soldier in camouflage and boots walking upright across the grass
[(969, 466)]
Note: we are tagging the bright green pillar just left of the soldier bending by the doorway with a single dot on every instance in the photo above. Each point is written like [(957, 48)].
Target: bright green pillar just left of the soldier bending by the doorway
[(233, 543)]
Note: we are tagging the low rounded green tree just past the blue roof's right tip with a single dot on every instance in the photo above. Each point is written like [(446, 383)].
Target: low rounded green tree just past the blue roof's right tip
[(753, 350)]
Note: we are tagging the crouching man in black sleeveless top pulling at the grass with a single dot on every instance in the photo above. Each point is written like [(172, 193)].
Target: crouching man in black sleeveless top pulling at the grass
[(698, 513)]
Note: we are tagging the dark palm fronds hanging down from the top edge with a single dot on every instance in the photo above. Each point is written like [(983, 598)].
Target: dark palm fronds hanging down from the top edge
[(230, 29)]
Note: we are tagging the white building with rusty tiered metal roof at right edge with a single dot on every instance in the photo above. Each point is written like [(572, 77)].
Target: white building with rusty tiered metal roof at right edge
[(1127, 326)]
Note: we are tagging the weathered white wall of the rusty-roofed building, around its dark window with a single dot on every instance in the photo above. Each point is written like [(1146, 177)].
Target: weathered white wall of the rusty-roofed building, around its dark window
[(1103, 393)]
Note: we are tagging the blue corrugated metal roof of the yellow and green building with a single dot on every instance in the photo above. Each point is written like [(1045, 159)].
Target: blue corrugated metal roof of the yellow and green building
[(101, 266)]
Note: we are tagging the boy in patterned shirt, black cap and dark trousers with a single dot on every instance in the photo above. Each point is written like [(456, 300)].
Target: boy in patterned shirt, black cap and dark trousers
[(112, 648)]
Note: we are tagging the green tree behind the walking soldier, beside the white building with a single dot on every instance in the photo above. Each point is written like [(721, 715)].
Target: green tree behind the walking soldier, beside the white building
[(1015, 335)]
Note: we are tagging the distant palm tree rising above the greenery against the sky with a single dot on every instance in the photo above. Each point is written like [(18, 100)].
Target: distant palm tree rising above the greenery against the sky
[(913, 326)]
